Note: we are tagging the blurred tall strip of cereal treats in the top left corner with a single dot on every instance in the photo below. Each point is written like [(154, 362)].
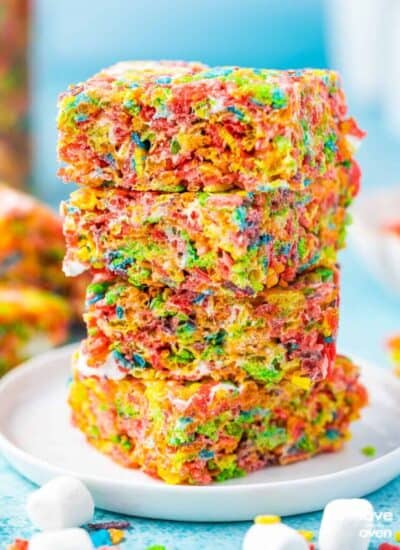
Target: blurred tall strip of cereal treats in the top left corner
[(14, 92)]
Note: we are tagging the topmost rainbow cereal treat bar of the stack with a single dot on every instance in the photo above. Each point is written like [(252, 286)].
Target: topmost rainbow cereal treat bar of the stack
[(181, 126)]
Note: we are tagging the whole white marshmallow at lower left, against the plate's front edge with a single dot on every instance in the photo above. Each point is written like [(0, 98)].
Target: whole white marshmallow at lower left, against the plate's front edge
[(61, 503)]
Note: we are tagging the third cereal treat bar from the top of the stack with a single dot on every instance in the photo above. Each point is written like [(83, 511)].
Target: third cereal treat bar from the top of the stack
[(285, 333)]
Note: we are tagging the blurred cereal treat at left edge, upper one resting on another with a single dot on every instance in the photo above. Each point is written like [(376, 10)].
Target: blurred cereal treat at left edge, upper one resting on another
[(32, 246)]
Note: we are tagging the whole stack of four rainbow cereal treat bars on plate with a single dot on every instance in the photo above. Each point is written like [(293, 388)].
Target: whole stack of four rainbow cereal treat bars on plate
[(211, 206)]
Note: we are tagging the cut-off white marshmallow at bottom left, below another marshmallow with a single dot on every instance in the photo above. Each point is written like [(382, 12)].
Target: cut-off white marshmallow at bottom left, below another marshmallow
[(66, 539)]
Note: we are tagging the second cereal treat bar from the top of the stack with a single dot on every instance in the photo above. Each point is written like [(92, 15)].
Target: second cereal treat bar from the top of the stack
[(200, 241)]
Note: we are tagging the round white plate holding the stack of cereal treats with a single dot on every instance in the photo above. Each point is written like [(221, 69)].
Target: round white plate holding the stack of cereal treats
[(38, 440)]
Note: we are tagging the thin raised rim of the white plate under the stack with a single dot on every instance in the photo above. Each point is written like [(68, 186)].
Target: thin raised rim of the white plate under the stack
[(8, 448)]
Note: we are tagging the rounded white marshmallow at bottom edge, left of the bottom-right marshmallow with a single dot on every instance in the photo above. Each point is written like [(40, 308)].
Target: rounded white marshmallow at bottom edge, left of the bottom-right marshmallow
[(273, 536)]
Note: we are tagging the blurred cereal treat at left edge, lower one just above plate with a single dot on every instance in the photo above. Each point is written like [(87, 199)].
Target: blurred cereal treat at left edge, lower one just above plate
[(31, 321)]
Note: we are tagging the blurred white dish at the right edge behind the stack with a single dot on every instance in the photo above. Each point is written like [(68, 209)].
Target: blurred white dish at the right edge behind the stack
[(379, 249)]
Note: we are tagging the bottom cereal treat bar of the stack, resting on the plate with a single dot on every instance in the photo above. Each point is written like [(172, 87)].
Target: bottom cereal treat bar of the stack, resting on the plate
[(199, 432)]
